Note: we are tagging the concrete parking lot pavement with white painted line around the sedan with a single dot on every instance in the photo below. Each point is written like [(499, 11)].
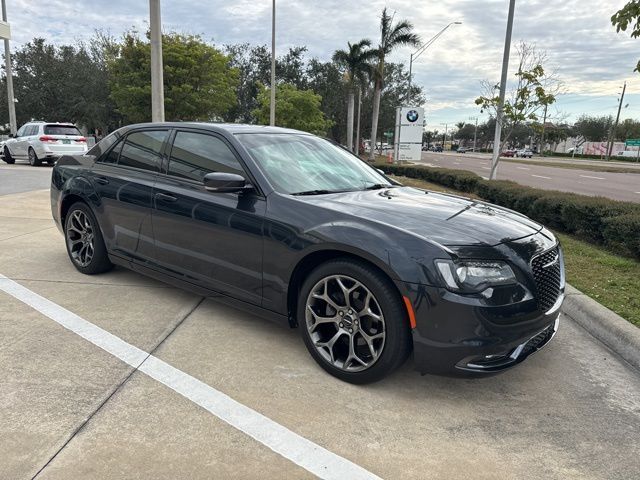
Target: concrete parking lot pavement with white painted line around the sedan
[(118, 375)]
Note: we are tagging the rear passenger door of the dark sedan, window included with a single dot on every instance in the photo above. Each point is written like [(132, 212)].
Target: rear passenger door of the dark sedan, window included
[(123, 179)]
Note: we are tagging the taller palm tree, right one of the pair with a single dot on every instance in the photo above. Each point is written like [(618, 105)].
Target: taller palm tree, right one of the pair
[(392, 36)]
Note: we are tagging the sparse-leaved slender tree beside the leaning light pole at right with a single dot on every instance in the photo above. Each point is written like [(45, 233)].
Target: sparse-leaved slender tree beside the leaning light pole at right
[(535, 90)]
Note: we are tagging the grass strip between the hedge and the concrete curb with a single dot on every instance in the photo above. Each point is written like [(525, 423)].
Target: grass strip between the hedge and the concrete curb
[(610, 279)]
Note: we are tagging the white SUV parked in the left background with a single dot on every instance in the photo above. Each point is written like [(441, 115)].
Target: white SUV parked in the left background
[(42, 141)]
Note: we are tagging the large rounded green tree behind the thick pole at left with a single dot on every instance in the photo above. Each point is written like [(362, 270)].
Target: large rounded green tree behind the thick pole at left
[(199, 83)]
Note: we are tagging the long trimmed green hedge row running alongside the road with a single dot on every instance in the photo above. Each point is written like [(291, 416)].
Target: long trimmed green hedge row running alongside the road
[(595, 219)]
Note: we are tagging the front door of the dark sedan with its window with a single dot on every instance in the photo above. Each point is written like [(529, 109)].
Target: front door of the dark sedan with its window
[(213, 239)]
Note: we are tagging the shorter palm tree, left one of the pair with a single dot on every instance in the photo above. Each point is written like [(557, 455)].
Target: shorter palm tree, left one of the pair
[(355, 61)]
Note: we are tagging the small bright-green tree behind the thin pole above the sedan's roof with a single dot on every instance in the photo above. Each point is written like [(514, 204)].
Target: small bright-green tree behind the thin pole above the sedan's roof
[(299, 109)]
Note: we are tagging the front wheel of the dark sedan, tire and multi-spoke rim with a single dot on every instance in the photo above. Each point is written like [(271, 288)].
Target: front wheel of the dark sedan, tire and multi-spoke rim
[(342, 323)]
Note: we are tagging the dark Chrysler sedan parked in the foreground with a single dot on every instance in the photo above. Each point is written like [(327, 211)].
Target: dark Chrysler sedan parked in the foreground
[(300, 231)]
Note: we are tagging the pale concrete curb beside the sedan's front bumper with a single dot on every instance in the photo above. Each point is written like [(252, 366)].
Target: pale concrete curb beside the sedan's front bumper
[(608, 327)]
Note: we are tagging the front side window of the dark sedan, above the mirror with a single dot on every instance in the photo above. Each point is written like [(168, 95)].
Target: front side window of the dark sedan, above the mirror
[(195, 154)]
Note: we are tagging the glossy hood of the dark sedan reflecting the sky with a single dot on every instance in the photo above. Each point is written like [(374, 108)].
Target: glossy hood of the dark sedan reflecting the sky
[(447, 219)]
